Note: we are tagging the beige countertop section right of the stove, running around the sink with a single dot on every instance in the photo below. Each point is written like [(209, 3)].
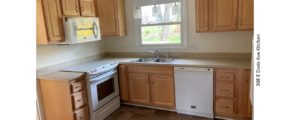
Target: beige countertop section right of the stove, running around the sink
[(190, 62)]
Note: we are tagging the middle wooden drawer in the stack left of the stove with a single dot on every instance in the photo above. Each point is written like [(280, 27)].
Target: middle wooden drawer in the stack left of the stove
[(79, 99)]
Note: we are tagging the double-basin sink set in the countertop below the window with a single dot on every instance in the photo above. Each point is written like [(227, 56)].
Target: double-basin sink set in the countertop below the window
[(154, 60)]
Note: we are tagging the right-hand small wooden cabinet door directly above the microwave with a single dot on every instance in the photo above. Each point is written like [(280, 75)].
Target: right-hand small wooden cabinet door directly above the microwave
[(88, 7)]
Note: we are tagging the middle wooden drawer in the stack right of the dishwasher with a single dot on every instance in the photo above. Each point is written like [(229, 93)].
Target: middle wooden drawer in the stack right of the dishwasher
[(224, 90)]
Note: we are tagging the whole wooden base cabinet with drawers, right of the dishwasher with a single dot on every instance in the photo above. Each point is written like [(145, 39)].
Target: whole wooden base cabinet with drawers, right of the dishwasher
[(232, 93)]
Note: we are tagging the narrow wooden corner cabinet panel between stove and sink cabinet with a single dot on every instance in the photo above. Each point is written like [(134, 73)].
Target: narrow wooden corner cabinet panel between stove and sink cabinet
[(123, 82)]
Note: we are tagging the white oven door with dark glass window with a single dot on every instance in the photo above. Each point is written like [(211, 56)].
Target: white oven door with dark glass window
[(104, 88)]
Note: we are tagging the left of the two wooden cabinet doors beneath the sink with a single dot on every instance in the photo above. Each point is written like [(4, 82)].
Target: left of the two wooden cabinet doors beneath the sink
[(139, 88)]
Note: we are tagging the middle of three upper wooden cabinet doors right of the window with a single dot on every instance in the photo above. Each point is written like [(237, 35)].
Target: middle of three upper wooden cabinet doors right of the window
[(225, 15)]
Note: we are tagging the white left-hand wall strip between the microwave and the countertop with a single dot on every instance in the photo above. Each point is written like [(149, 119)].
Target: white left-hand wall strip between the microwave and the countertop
[(48, 55)]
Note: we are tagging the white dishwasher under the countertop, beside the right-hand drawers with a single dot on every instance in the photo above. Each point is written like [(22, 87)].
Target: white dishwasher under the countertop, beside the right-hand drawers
[(194, 91)]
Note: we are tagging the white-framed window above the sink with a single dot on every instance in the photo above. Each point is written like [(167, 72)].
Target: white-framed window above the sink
[(162, 23)]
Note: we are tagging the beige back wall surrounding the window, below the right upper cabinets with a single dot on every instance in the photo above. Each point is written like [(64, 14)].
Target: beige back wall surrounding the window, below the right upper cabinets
[(234, 42)]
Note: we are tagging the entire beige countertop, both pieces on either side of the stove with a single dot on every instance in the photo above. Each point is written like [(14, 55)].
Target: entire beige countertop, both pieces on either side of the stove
[(179, 62)]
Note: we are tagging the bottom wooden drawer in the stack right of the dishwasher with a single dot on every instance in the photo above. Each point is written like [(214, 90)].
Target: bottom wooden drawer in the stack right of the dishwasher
[(224, 106)]
